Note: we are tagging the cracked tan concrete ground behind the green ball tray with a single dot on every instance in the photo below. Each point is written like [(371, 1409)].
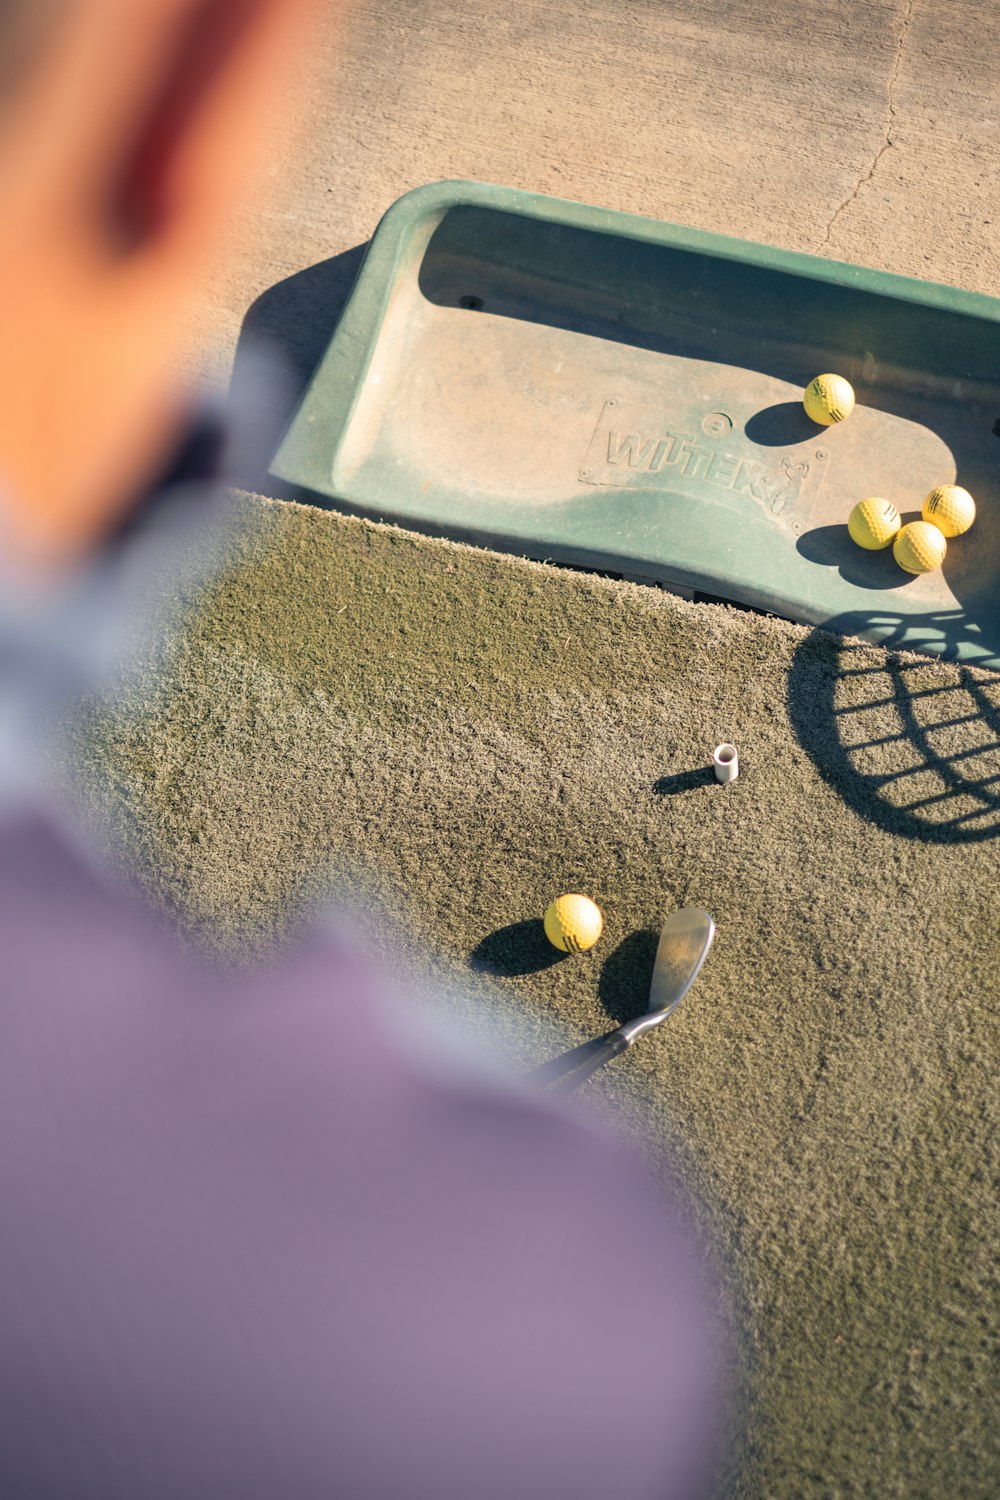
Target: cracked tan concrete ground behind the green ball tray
[(869, 133)]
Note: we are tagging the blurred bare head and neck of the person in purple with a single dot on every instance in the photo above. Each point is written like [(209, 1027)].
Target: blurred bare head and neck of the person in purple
[(130, 134)]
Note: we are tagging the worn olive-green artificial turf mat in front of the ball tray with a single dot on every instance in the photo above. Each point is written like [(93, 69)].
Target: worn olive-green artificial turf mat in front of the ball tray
[(466, 736)]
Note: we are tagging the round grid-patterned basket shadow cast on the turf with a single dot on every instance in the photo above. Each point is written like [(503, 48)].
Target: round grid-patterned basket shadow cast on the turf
[(912, 746)]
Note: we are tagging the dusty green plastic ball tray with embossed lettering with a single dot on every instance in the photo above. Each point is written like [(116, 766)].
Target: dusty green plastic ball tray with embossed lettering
[(606, 391)]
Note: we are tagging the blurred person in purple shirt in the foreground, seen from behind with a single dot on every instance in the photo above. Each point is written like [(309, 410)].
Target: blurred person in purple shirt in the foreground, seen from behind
[(250, 1246)]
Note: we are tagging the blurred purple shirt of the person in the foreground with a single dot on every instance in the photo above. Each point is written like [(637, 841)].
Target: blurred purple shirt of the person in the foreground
[(250, 1250)]
